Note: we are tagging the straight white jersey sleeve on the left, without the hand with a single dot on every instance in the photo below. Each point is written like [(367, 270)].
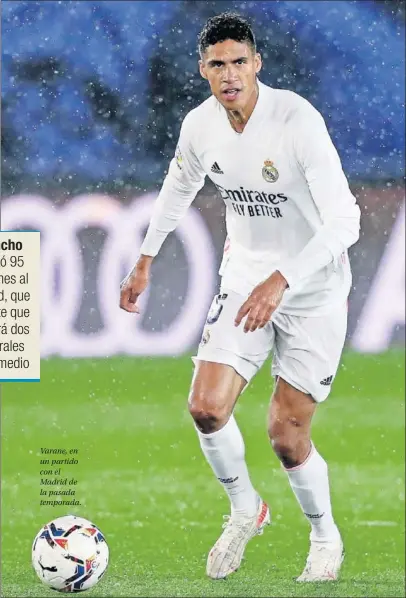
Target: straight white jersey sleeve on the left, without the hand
[(181, 185)]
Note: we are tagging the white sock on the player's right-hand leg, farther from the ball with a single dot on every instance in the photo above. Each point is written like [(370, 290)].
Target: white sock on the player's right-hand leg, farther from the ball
[(309, 482)]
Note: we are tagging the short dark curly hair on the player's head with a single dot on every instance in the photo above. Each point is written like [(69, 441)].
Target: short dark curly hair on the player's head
[(228, 25)]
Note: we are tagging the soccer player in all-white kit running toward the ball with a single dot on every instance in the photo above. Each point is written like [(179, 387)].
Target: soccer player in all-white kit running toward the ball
[(285, 273)]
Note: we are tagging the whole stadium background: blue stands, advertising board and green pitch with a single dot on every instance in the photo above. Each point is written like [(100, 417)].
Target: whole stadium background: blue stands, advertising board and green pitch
[(93, 95)]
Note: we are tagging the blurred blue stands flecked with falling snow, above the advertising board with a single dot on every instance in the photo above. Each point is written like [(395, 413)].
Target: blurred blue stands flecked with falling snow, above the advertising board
[(71, 116)]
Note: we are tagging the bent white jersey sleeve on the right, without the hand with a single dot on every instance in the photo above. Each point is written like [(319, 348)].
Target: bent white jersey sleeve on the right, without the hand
[(339, 213)]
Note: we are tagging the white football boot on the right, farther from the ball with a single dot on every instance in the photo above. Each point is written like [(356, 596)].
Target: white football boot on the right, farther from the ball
[(324, 561)]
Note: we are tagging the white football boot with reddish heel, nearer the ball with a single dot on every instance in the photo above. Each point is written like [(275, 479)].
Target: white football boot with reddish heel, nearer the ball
[(226, 555)]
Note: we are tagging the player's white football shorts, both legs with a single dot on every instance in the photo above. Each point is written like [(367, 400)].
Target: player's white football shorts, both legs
[(306, 350)]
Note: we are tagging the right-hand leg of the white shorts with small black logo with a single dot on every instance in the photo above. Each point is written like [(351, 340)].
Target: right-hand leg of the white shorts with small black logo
[(307, 350)]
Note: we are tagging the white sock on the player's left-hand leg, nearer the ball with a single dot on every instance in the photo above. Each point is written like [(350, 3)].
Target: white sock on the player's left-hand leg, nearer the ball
[(225, 452)]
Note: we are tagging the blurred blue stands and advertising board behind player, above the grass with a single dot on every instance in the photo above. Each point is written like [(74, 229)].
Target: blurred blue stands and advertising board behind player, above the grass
[(93, 95)]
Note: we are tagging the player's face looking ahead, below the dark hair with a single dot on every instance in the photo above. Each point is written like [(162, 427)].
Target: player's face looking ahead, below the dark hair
[(231, 68)]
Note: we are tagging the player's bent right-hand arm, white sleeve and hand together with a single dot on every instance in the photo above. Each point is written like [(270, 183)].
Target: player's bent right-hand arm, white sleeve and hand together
[(339, 213)]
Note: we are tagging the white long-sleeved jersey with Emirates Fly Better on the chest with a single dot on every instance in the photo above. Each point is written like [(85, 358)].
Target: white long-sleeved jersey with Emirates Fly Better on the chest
[(288, 204)]
